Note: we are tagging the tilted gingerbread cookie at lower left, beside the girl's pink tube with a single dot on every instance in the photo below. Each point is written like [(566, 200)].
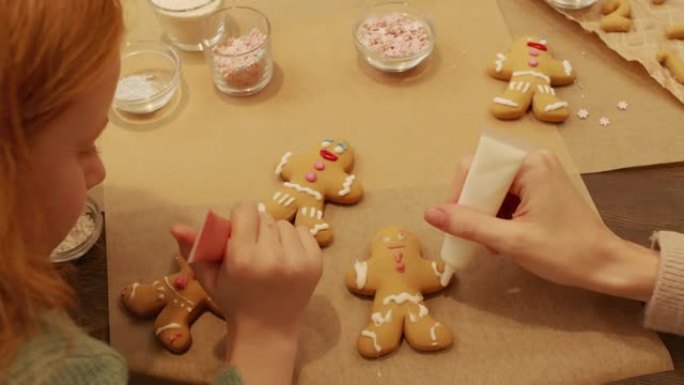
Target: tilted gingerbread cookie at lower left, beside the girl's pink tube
[(177, 300)]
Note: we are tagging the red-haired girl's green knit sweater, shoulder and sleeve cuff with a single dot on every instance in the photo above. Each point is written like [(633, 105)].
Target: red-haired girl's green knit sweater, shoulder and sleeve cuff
[(61, 353)]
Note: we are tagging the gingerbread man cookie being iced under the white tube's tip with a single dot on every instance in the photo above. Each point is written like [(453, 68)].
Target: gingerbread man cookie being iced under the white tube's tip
[(398, 276)]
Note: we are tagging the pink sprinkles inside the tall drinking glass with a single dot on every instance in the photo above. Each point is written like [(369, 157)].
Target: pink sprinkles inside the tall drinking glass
[(241, 60)]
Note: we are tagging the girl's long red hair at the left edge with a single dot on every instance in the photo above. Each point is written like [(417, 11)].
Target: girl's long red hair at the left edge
[(51, 51)]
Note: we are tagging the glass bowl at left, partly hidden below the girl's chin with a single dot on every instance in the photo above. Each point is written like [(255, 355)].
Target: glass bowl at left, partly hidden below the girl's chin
[(83, 235)]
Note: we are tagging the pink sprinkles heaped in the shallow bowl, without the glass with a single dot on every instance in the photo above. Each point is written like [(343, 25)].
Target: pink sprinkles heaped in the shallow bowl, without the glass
[(394, 35)]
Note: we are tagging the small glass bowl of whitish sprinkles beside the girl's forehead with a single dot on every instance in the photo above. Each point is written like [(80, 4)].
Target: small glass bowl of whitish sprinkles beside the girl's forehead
[(150, 75)]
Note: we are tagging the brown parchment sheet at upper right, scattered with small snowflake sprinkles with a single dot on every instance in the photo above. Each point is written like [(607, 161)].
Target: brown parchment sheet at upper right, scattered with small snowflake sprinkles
[(648, 132)]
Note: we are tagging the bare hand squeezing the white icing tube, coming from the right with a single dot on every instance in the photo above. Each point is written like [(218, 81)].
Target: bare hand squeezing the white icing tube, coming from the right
[(553, 233)]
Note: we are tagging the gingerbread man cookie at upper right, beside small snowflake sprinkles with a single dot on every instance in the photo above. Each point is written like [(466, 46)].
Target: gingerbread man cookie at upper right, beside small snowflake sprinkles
[(531, 71)]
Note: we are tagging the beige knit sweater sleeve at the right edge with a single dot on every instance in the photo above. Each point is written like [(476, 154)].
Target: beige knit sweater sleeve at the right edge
[(665, 310)]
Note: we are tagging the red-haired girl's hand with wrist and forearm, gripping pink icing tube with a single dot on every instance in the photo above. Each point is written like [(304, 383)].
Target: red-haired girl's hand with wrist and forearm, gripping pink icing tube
[(262, 286)]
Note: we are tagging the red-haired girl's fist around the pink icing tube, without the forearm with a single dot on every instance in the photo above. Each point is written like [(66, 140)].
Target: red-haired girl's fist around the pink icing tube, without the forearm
[(268, 273)]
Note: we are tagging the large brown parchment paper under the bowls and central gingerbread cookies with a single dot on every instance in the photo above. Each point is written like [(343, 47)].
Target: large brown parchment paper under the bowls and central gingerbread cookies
[(409, 132)]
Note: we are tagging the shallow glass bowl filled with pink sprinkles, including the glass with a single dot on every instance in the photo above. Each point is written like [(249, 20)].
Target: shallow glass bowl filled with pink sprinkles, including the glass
[(394, 36)]
